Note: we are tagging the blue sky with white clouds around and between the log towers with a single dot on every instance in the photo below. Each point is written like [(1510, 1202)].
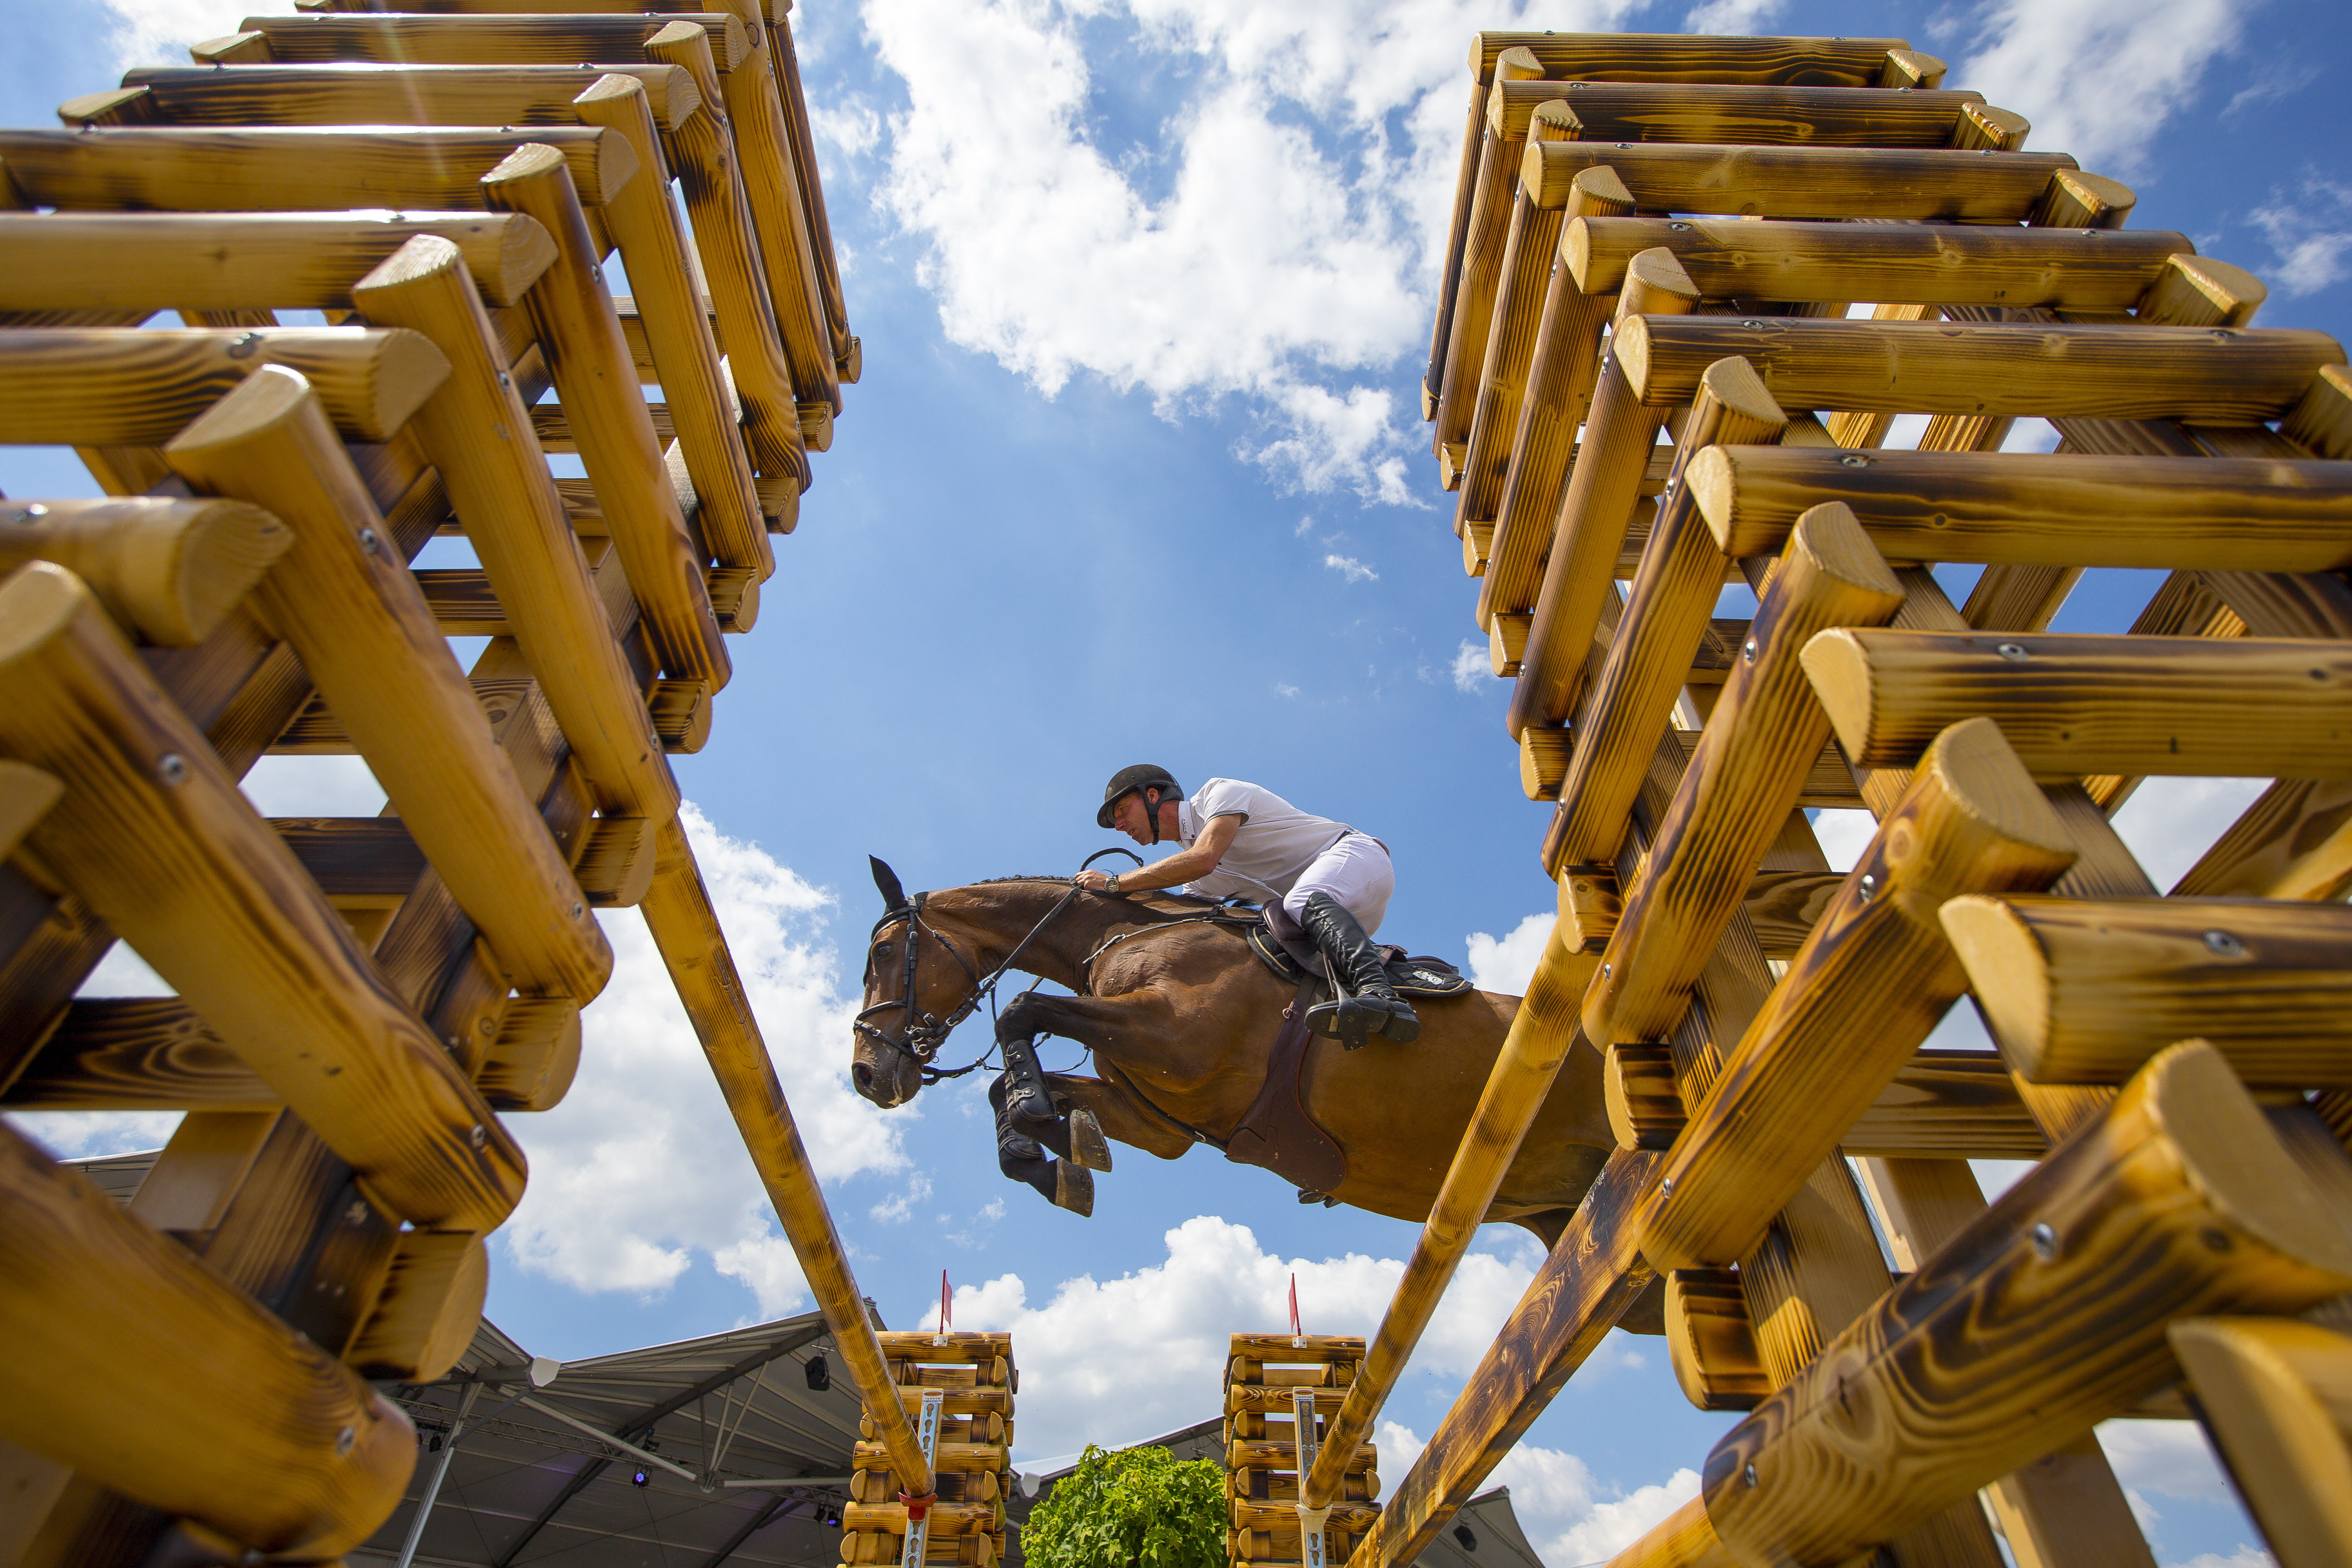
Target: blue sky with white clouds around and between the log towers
[(1135, 474)]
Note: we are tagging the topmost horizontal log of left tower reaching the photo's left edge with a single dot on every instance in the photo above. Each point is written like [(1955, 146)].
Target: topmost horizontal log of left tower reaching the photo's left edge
[(295, 168)]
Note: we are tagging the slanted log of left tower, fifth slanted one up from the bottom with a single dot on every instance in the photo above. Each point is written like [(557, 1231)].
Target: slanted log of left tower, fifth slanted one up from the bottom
[(589, 361)]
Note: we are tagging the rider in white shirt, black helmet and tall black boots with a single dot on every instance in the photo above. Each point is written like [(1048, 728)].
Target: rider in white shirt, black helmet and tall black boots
[(1316, 880)]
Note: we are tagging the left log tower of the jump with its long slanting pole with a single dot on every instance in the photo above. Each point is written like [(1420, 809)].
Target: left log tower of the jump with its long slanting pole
[(359, 1000)]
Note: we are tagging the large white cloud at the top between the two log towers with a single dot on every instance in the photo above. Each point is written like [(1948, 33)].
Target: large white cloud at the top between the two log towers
[(1295, 220)]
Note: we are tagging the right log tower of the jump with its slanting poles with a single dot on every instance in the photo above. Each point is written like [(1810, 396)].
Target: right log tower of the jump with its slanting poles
[(1768, 250)]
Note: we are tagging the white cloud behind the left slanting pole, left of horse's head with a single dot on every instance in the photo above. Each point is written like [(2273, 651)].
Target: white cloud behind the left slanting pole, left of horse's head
[(641, 1167)]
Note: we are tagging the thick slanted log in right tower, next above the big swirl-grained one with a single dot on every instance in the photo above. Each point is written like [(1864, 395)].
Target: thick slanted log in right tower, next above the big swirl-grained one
[(1869, 986)]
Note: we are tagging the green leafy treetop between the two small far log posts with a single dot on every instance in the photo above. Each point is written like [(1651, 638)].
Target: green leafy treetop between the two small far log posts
[(1137, 1508)]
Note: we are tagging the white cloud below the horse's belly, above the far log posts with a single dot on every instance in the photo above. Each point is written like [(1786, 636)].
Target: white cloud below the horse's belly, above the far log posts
[(1132, 1358)]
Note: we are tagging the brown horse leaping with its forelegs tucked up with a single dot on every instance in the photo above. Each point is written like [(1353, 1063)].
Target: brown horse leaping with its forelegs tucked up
[(1182, 1021)]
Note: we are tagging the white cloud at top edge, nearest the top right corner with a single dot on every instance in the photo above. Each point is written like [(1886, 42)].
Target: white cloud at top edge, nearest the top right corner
[(2151, 58)]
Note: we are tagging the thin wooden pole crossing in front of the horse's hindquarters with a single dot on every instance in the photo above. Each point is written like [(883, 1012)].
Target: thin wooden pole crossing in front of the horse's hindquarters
[(1542, 1036)]
